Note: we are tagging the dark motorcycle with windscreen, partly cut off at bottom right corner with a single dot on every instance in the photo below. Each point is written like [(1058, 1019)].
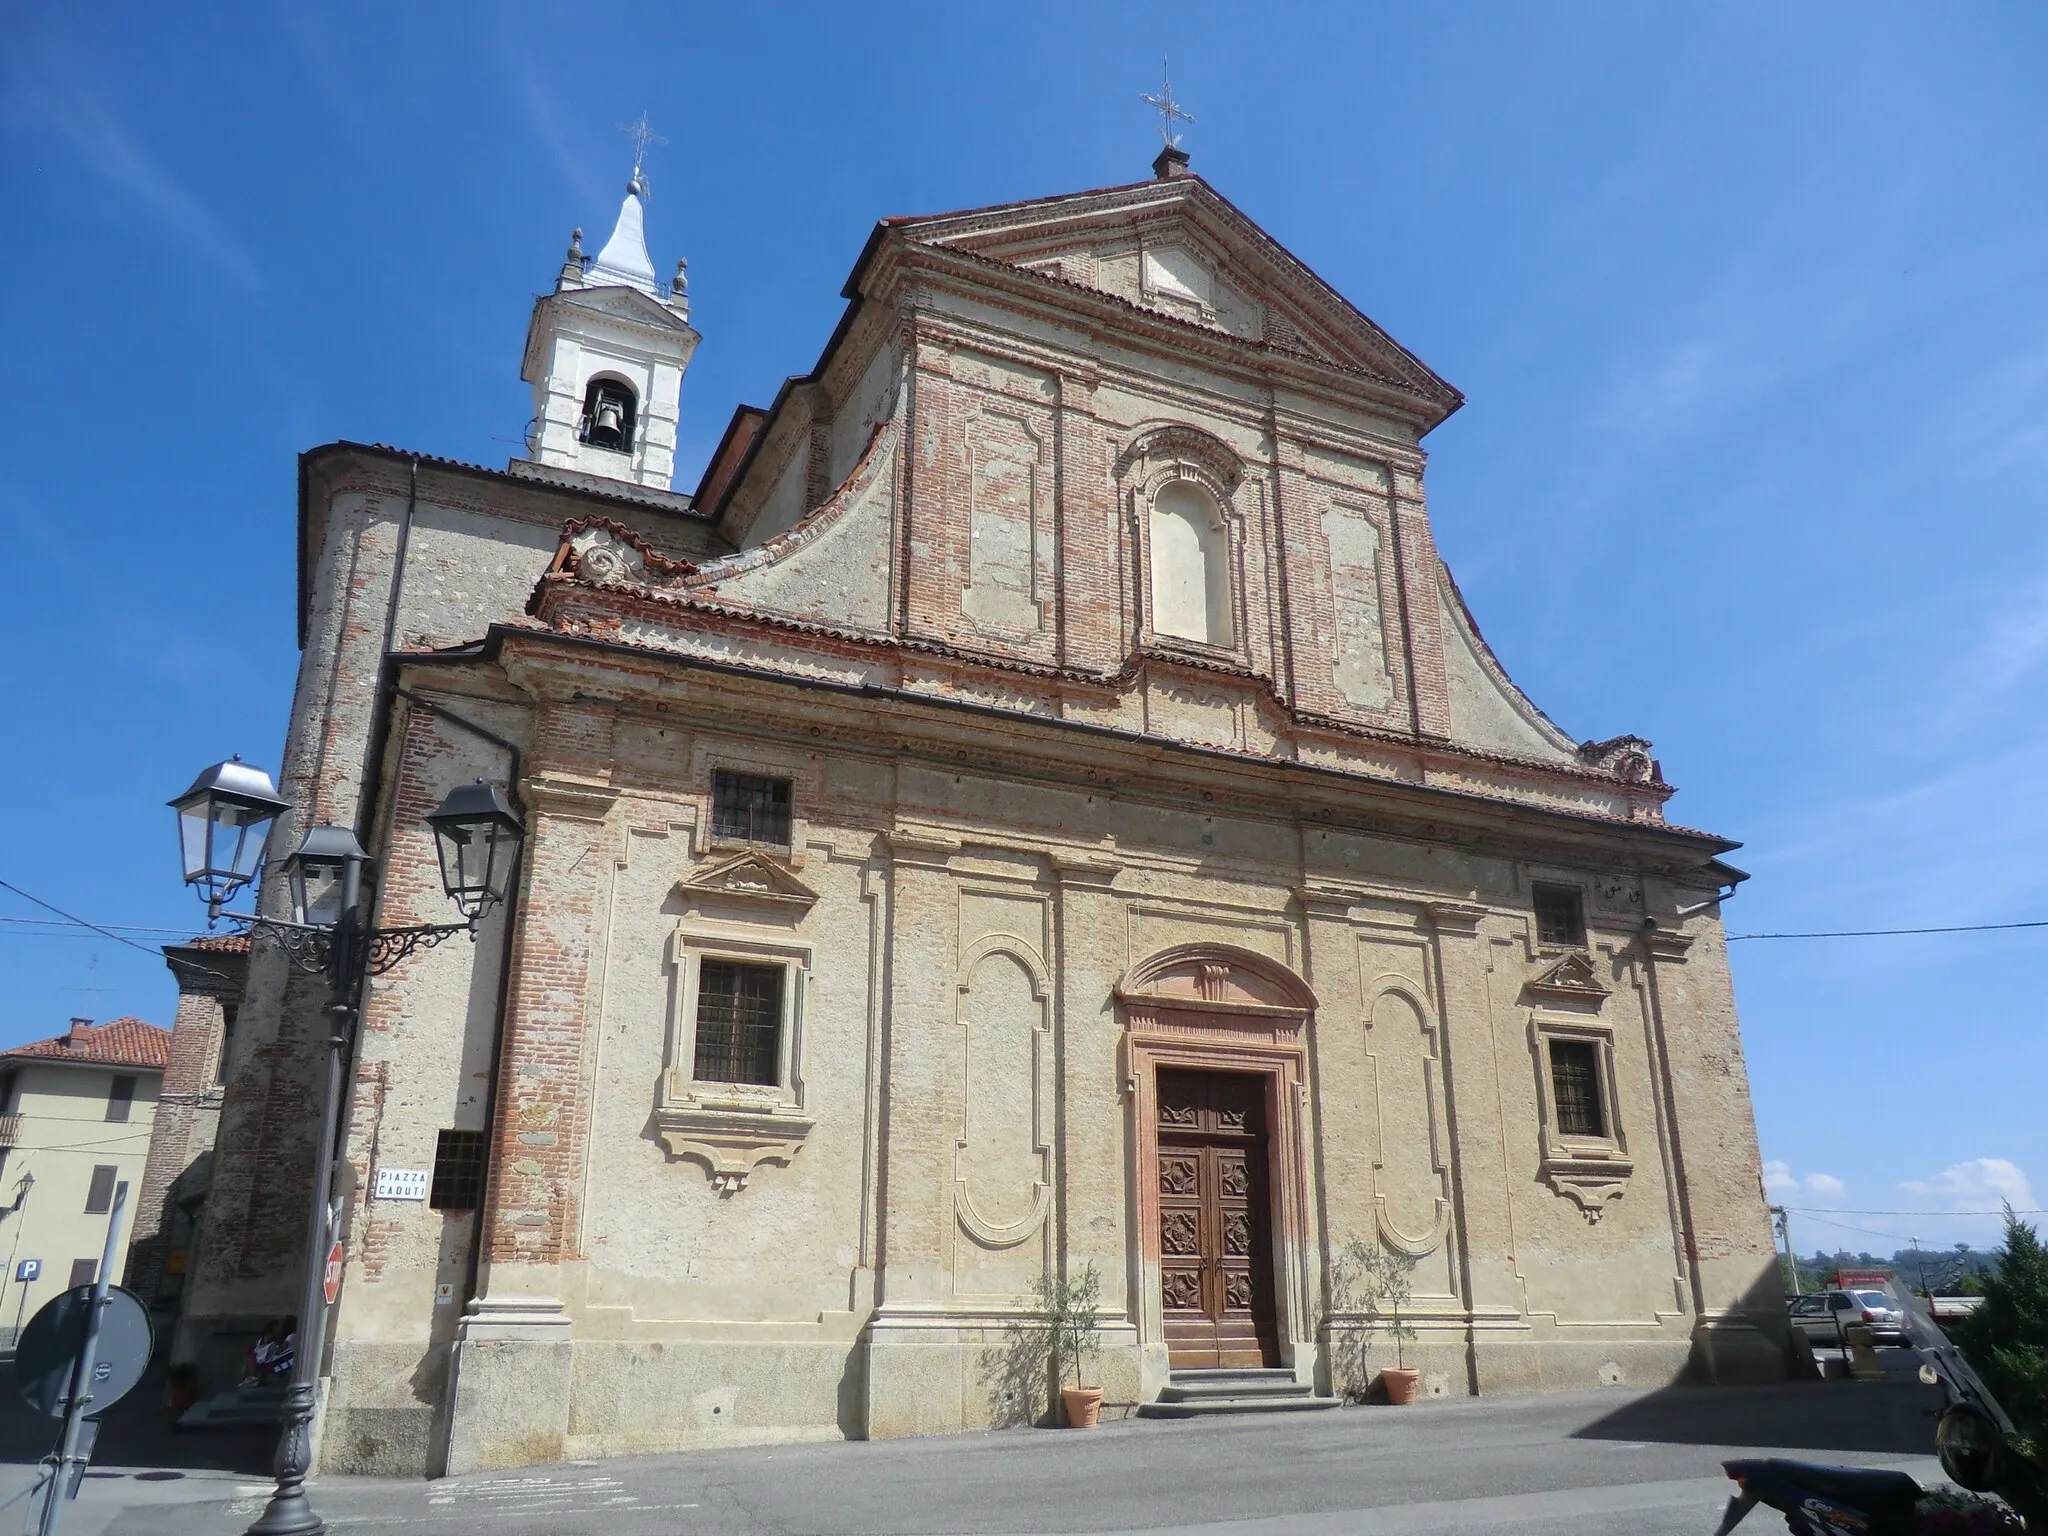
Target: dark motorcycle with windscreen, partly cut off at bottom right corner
[(1973, 1441)]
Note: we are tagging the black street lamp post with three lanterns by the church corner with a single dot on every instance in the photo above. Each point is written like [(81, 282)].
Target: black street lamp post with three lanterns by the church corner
[(224, 822)]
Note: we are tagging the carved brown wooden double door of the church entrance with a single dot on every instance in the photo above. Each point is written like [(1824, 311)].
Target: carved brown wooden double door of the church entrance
[(1215, 1222)]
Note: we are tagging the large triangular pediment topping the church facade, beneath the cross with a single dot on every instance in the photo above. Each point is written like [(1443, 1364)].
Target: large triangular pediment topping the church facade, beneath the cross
[(1179, 249)]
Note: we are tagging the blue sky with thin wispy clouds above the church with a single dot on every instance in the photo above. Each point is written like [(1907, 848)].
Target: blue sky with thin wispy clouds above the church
[(1746, 300)]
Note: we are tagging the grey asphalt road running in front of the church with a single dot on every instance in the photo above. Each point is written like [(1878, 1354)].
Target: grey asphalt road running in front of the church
[(1588, 1463)]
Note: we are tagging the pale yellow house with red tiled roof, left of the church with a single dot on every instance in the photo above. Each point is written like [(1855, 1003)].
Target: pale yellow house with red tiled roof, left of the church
[(75, 1125)]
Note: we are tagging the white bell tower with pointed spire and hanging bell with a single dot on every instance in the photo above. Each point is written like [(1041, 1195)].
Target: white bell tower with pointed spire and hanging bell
[(605, 355)]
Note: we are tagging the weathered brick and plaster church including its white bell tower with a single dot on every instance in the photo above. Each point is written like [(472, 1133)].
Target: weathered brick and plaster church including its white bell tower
[(1039, 808)]
